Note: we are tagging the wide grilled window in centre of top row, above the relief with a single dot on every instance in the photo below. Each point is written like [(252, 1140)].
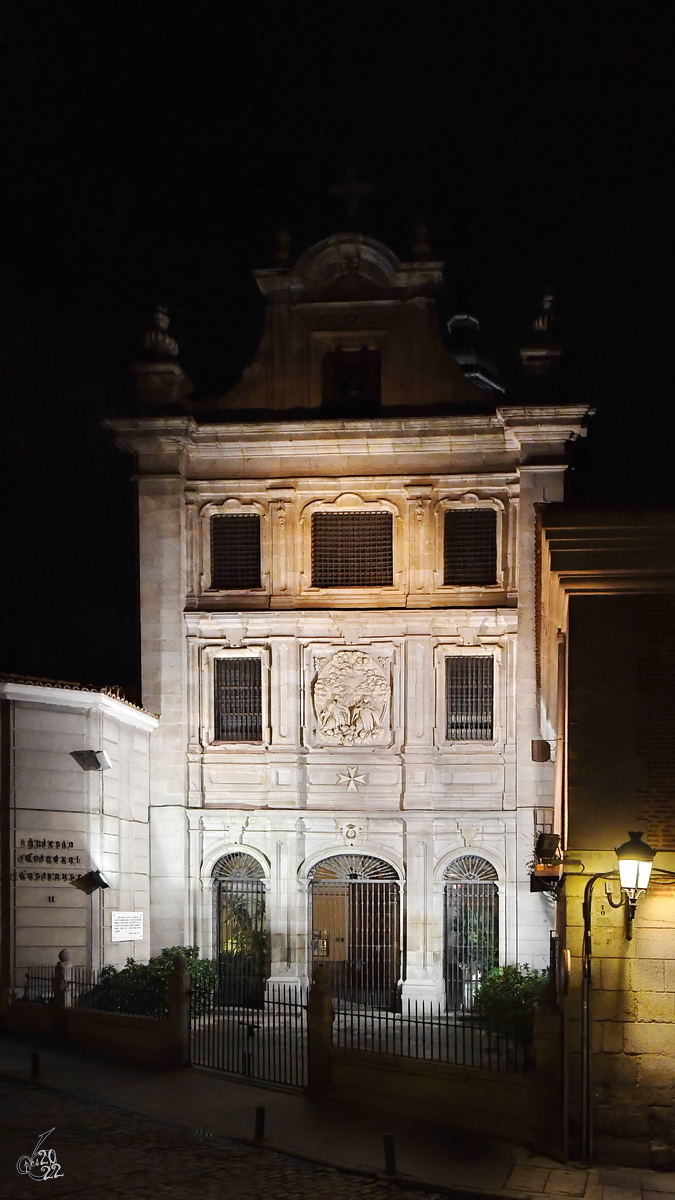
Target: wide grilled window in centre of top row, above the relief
[(353, 550)]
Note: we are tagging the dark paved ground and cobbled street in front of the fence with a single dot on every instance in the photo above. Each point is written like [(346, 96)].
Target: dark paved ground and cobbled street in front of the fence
[(341, 1136)]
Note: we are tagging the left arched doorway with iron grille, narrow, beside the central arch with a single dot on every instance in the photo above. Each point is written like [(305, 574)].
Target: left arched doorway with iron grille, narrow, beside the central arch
[(242, 951)]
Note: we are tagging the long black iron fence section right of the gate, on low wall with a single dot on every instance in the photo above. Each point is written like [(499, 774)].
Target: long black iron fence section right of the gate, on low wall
[(426, 1031)]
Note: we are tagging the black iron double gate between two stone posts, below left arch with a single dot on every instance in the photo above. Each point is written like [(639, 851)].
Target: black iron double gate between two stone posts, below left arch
[(264, 1040)]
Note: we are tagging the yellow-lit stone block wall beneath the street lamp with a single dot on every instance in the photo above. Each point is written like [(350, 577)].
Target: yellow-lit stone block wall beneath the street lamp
[(634, 1022)]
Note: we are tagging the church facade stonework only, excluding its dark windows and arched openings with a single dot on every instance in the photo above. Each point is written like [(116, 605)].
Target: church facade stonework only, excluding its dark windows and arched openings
[(334, 775)]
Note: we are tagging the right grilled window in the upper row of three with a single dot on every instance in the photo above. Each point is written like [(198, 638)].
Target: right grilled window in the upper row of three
[(470, 548)]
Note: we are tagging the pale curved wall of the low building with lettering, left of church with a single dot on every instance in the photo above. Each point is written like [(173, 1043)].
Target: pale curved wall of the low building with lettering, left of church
[(62, 821)]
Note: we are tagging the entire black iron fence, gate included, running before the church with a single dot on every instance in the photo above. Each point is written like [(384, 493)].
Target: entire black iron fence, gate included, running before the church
[(262, 1033)]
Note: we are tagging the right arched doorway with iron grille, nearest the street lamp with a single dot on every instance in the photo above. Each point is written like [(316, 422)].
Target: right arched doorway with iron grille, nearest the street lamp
[(473, 931)]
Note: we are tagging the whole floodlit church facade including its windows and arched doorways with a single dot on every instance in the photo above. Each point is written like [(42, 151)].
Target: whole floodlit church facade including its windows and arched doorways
[(338, 596)]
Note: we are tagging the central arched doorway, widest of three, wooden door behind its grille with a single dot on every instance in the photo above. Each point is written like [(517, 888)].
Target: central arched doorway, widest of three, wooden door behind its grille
[(356, 928)]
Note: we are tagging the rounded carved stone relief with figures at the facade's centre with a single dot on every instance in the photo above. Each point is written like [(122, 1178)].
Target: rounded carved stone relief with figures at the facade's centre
[(351, 699)]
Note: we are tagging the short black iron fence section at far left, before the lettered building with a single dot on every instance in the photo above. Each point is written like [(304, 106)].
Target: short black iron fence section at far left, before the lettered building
[(103, 992)]
